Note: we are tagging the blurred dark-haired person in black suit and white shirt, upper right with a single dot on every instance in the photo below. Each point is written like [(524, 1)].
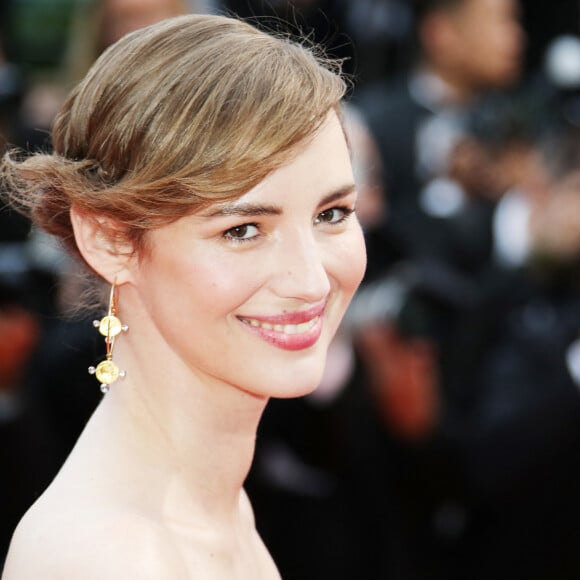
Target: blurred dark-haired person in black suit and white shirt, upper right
[(464, 48)]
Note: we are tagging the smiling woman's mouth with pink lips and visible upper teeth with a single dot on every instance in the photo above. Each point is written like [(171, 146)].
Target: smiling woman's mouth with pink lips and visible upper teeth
[(290, 330)]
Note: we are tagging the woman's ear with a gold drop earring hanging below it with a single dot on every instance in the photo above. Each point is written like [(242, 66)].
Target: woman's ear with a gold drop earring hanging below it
[(101, 246)]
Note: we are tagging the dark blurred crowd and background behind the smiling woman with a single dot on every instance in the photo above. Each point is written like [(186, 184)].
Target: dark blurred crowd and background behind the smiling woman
[(444, 441)]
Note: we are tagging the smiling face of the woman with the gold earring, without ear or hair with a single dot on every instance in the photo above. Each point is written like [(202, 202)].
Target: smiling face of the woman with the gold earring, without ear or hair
[(250, 293)]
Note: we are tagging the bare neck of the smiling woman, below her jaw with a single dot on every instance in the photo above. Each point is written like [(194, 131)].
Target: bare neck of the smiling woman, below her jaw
[(180, 443)]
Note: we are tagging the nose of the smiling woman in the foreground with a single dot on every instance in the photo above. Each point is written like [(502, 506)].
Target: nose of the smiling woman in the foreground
[(300, 272)]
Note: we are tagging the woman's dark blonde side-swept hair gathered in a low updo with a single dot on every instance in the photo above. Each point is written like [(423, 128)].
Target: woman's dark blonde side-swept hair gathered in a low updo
[(191, 111)]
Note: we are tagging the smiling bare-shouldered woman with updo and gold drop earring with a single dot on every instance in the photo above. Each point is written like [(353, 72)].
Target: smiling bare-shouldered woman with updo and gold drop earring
[(201, 170)]
